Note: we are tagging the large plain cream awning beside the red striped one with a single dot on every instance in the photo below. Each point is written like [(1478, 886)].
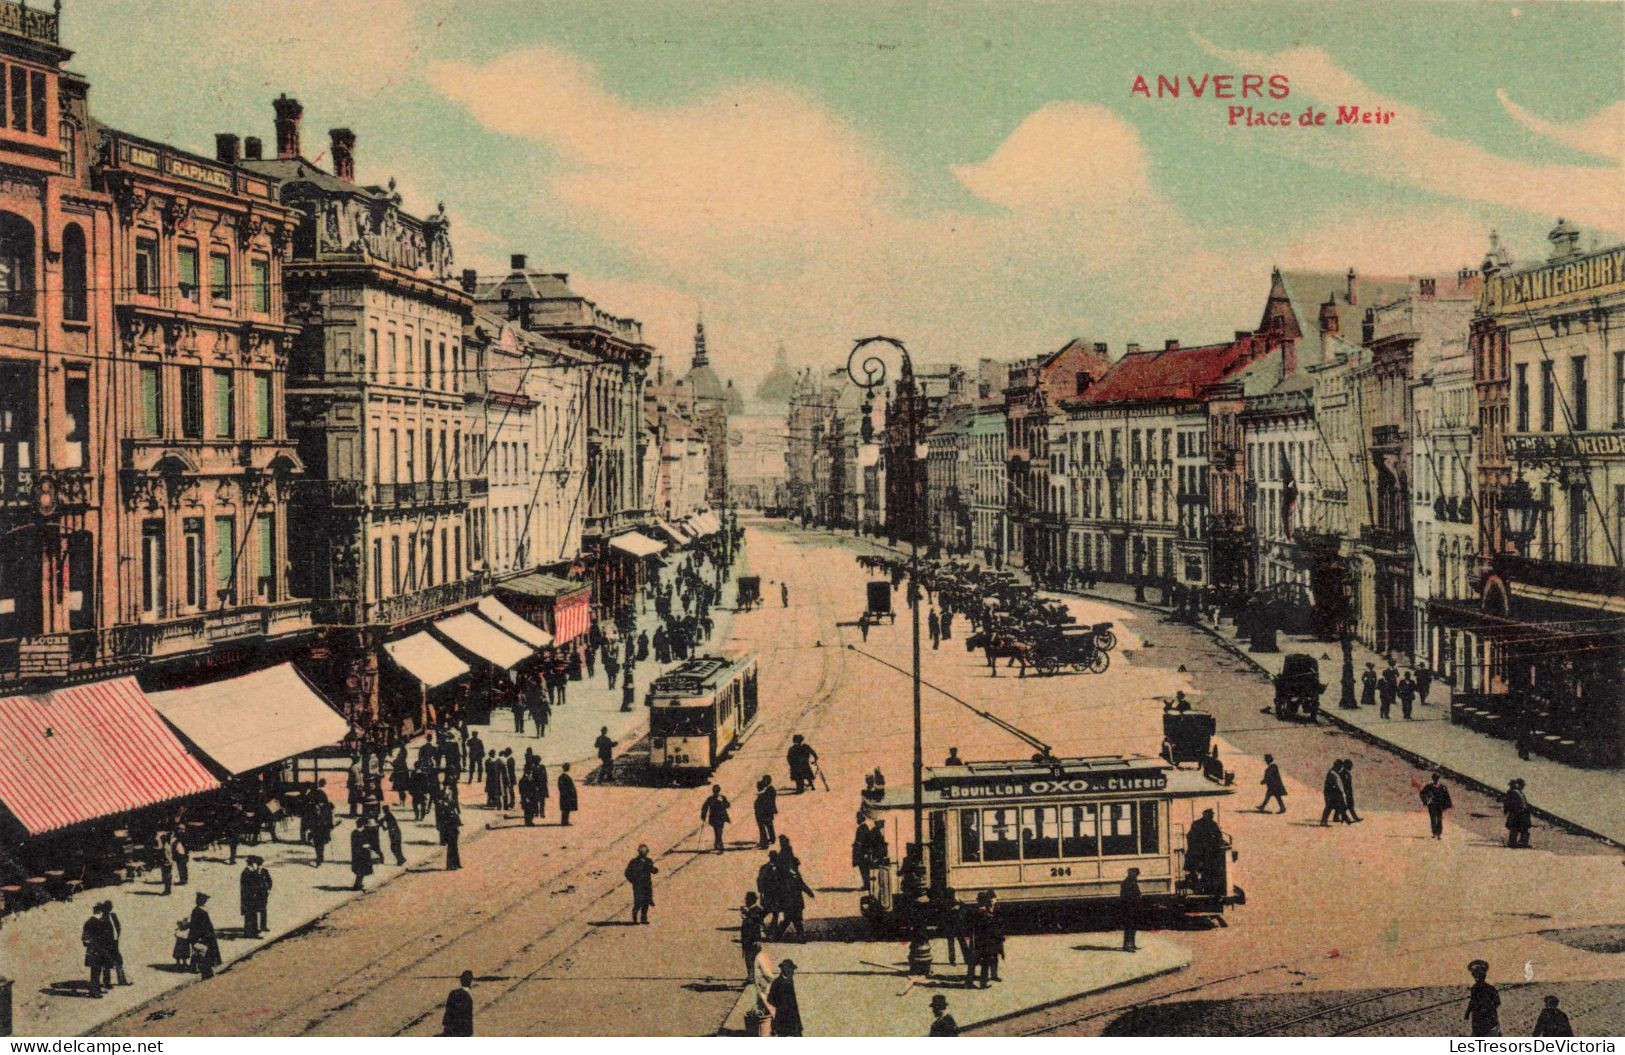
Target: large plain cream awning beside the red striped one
[(261, 719)]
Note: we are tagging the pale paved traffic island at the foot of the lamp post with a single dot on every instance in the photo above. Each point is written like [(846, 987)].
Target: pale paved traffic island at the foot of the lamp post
[(864, 989)]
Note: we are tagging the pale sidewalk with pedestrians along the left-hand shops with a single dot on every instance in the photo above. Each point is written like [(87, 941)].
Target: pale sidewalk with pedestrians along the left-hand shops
[(41, 950)]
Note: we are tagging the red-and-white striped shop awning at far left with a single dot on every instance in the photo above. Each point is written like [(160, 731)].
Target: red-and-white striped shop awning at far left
[(90, 752)]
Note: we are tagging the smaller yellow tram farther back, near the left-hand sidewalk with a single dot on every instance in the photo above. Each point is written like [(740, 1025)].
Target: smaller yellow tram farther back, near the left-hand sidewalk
[(698, 714)]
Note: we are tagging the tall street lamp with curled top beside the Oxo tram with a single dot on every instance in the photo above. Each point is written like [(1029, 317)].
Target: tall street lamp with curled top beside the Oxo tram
[(873, 376)]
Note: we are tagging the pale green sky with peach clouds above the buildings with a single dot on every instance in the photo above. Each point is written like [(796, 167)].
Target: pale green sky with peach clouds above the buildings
[(976, 180)]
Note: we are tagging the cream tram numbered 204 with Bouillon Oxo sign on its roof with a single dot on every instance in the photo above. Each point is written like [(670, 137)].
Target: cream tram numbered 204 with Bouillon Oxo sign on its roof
[(1062, 831)]
